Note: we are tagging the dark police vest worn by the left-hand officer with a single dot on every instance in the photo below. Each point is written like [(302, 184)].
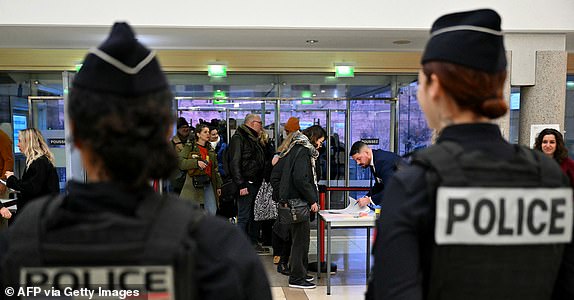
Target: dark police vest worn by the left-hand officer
[(144, 256)]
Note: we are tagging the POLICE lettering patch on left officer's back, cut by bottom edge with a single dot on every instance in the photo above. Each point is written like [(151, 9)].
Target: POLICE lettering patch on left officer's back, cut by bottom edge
[(111, 280)]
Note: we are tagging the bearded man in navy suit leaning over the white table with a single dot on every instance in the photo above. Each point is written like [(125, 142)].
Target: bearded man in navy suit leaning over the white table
[(382, 165)]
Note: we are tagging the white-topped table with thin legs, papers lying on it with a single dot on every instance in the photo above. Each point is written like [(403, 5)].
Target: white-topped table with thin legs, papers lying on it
[(336, 220)]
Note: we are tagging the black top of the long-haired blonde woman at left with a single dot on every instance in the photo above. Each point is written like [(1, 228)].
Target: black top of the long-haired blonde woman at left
[(40, 179)]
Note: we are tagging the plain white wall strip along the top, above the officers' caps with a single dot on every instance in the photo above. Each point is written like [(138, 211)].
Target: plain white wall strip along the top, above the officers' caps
[(518, 15)]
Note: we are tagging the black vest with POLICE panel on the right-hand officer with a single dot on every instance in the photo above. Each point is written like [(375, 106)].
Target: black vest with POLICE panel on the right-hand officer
[(467, 270)]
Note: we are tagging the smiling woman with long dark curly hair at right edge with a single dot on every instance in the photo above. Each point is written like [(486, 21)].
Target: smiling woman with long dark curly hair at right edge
[(551, 143)]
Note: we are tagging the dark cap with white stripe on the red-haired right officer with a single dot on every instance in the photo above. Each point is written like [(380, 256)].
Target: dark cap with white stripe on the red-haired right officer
[(472, 38)]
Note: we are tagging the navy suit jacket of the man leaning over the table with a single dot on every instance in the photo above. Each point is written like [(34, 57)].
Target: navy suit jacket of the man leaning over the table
[(385, 164)]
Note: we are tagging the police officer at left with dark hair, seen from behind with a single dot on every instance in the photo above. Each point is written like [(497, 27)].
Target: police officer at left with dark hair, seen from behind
[(114, 232)]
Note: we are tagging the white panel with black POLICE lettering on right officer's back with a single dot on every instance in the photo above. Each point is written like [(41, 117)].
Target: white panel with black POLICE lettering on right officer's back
[(503, 216)]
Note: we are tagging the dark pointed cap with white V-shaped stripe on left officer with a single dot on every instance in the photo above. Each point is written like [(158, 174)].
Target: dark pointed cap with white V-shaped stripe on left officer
[(121, 65)]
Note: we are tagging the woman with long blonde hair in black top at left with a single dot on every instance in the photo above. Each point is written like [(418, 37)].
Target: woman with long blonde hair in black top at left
[(40, 177)]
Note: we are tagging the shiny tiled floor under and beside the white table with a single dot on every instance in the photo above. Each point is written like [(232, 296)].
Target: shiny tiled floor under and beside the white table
[(349, 253)]
